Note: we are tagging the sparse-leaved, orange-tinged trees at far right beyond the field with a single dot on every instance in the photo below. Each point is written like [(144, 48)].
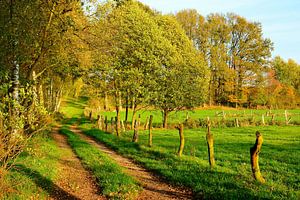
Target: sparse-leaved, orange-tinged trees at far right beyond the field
[(239, 60)]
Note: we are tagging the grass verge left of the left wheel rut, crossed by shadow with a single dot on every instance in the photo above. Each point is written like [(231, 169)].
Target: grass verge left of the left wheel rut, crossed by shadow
[(35, 170)]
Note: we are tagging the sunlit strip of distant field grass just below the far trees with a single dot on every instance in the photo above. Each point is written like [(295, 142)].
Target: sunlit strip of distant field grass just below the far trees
[(216, 114)]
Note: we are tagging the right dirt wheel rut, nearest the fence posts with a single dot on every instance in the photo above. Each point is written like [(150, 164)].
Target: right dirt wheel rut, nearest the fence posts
[(153, 187)]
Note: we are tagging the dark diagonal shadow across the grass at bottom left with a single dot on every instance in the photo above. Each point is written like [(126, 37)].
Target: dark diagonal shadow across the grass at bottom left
[(53, 190)]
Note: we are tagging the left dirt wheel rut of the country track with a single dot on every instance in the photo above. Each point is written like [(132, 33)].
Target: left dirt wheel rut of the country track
[(74, 180)]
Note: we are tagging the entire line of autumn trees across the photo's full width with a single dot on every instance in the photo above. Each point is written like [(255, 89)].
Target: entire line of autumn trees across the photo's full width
[(140, 57)]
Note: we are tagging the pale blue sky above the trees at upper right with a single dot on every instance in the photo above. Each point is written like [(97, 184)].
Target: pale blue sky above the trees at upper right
[(280, 19)]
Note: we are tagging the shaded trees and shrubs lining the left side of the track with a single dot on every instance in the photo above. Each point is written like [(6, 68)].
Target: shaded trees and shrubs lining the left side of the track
[(40, 51)]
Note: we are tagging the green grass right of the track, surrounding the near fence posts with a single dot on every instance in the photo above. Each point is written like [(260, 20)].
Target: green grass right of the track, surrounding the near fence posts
[(231, 178)]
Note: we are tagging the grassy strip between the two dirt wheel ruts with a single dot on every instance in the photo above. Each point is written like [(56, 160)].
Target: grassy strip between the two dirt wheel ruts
[(113, 181)]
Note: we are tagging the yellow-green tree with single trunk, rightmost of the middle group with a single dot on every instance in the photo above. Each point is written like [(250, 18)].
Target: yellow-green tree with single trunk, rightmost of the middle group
[(182, 80)]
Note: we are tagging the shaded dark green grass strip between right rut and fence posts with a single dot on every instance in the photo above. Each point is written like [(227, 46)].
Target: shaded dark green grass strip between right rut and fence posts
[(205, 183)]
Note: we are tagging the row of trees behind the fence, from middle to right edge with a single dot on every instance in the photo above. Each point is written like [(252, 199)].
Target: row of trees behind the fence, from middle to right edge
[(174, 62)]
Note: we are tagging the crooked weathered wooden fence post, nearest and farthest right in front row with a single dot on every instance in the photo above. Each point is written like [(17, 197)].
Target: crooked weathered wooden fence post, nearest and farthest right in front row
[(254, 152)]
